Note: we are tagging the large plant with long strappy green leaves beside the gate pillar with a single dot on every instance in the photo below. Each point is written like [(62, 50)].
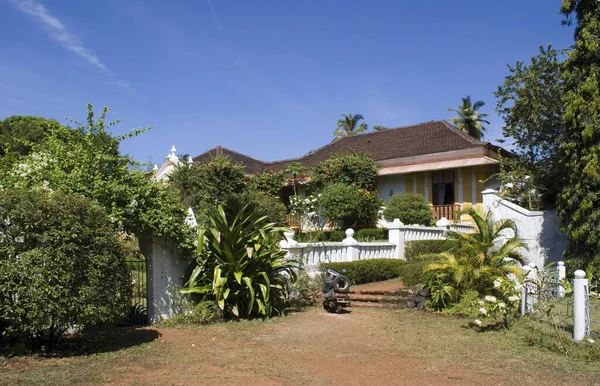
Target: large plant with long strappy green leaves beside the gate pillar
[(243, 268)]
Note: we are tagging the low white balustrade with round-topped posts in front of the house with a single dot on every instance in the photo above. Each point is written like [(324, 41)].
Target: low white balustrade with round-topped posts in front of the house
[(312, 254)]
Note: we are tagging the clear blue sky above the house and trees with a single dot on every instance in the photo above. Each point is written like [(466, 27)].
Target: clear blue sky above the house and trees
[(268, 78)]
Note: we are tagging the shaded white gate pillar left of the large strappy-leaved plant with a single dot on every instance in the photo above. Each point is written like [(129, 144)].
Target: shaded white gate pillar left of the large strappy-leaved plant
[(165, 273)]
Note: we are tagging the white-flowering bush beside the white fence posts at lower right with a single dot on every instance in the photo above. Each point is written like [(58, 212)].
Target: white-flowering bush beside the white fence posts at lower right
[(502, 307)]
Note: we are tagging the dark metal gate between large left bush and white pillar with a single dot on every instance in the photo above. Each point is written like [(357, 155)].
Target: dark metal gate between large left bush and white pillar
[(138, 312)]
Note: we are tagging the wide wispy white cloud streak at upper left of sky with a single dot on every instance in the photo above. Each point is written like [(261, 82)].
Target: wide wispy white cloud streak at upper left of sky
[(59, 32)]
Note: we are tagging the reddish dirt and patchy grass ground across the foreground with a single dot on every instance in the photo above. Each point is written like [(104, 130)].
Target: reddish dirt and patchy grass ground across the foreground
[(365, 346)]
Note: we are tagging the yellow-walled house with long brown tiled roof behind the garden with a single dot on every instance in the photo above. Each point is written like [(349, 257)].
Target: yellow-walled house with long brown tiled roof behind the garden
[(435, 159)]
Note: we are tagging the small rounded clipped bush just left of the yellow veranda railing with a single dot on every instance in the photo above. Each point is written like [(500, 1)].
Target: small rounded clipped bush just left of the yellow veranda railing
[(410, 209)]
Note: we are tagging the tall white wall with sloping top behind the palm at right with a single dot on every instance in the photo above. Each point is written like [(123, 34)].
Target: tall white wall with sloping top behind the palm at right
[(538, 229)]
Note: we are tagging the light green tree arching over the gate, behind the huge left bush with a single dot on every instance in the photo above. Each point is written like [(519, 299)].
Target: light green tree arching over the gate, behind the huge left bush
[(86, 160)]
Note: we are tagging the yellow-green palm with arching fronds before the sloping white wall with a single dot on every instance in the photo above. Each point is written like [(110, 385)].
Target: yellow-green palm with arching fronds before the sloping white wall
[(481, 257)]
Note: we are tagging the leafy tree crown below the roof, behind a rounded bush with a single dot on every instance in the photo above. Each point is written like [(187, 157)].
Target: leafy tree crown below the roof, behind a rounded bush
[(357, 169)]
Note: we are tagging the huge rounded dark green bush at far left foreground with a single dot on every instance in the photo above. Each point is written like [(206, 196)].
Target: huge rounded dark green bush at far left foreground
[(61, 265)]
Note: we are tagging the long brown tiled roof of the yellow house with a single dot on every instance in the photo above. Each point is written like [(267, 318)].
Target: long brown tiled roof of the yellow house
[(424, 138)]
